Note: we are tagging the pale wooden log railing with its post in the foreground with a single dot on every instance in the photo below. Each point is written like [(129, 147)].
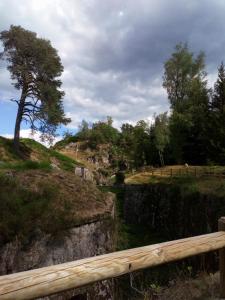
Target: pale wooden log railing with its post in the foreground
[(58, 278)]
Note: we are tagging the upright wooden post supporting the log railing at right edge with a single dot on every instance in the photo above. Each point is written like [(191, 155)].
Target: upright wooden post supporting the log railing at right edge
[(221, 227)]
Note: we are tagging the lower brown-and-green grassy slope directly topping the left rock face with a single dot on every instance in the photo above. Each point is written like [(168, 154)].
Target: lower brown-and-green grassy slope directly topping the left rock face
[(34, 200)]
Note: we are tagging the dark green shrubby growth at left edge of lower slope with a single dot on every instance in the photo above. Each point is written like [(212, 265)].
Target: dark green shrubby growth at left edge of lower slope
[(21, 210)]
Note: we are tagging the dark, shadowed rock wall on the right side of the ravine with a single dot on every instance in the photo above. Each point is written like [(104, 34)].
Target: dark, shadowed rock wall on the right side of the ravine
[(171, 211)]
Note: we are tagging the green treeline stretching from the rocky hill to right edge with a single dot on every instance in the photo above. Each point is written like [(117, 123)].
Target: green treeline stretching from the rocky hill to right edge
[(192, 132)]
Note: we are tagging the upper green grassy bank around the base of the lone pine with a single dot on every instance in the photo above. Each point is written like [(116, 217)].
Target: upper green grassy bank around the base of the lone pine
[(36, 156)]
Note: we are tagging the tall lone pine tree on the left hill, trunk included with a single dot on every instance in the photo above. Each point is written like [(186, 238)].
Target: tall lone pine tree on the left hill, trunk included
[(35, 67)]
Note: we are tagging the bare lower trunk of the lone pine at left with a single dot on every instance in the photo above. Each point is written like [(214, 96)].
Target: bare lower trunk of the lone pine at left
[(19, 117)]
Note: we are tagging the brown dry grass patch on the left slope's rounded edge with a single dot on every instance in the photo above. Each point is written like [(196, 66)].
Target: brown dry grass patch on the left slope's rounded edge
[(85, 200)]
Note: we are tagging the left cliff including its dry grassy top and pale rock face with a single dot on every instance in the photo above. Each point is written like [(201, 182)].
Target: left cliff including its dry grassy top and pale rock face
[(63, 238)]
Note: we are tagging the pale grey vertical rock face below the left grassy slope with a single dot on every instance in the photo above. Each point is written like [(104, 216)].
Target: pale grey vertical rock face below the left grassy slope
[(76, 243)]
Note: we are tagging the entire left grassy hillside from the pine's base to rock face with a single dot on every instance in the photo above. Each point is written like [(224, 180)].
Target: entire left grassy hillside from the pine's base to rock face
[(34, 196)]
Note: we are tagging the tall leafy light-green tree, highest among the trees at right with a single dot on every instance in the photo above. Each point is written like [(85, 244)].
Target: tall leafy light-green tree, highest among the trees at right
[(184, 80)]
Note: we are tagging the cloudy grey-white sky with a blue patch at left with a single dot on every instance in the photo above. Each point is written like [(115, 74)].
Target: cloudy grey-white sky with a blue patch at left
[(113, 52)]
